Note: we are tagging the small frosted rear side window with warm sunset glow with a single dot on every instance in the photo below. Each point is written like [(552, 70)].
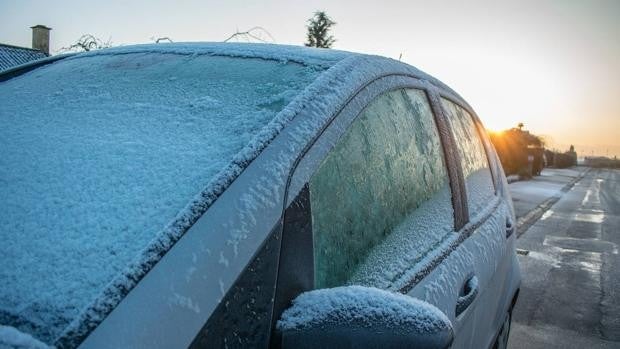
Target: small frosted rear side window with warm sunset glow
[(478, 178)]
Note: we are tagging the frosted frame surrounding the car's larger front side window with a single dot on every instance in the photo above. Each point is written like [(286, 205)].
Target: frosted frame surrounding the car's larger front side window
[(317, 149)]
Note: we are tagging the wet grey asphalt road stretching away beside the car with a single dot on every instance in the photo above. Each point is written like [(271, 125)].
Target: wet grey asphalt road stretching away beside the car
[(570, 293)]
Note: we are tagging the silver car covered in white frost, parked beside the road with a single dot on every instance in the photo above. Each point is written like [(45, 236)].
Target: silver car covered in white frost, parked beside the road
[(231, 195)]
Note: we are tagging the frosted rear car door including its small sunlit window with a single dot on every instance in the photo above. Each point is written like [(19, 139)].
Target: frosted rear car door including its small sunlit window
[(488, 220)]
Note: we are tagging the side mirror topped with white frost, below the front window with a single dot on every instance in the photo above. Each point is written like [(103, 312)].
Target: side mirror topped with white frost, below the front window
[(362, 317)]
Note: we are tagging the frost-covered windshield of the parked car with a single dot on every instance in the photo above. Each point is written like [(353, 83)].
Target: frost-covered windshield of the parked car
[(99, 155)]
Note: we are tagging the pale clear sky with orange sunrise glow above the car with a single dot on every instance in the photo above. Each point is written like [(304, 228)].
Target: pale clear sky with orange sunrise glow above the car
[(552, 65)]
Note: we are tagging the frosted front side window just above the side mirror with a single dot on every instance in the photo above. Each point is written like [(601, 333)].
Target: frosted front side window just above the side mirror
[(380, 200)]
